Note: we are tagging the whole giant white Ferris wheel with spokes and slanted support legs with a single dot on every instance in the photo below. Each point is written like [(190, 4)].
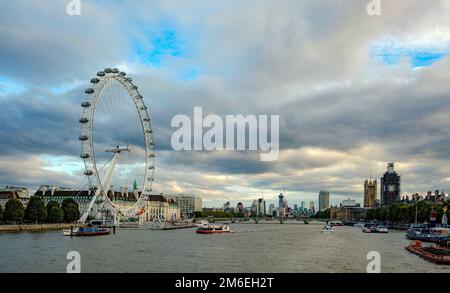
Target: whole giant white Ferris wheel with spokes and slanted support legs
[(117, 144)]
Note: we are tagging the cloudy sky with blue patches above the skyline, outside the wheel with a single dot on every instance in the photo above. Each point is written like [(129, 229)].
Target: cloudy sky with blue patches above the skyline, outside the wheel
[(353, 91)]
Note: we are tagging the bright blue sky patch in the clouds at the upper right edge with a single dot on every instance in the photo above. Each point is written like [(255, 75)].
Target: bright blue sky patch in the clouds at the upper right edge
[(418, 57)]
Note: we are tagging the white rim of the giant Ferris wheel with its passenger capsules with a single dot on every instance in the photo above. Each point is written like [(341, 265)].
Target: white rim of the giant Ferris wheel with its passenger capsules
[(93, 96)]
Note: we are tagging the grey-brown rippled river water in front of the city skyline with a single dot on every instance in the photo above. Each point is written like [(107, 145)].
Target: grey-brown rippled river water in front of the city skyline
[(291, 247)]
